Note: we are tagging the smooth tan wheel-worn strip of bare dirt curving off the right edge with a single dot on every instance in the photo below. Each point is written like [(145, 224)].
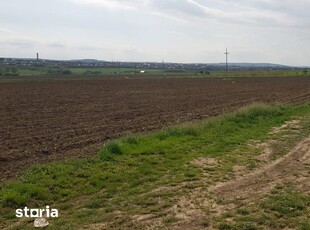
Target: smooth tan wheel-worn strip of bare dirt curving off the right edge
[(256, 184)]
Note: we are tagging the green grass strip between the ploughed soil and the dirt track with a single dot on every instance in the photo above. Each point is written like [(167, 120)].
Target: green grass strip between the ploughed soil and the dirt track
[(145, 174)]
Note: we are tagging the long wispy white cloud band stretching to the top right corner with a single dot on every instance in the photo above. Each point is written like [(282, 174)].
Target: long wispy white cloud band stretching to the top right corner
[(261, 12)]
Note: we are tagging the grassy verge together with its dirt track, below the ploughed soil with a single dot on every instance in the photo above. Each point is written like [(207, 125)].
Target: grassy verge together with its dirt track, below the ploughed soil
[(244, 170)]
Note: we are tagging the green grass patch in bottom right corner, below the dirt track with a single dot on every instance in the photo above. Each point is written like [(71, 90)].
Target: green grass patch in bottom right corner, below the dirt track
[(283, 207)]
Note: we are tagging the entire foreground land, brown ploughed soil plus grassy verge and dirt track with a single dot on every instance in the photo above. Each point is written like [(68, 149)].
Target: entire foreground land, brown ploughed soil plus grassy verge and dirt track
[(247, 169)]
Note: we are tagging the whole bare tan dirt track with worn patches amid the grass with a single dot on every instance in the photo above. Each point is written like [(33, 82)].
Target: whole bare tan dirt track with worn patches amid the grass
[(200, 206)]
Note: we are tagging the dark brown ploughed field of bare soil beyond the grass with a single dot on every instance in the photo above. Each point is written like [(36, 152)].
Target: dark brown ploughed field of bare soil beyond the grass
[(42, 121)]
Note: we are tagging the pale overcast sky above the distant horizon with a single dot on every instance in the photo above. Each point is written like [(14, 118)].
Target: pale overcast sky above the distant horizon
[(186, 31)]
